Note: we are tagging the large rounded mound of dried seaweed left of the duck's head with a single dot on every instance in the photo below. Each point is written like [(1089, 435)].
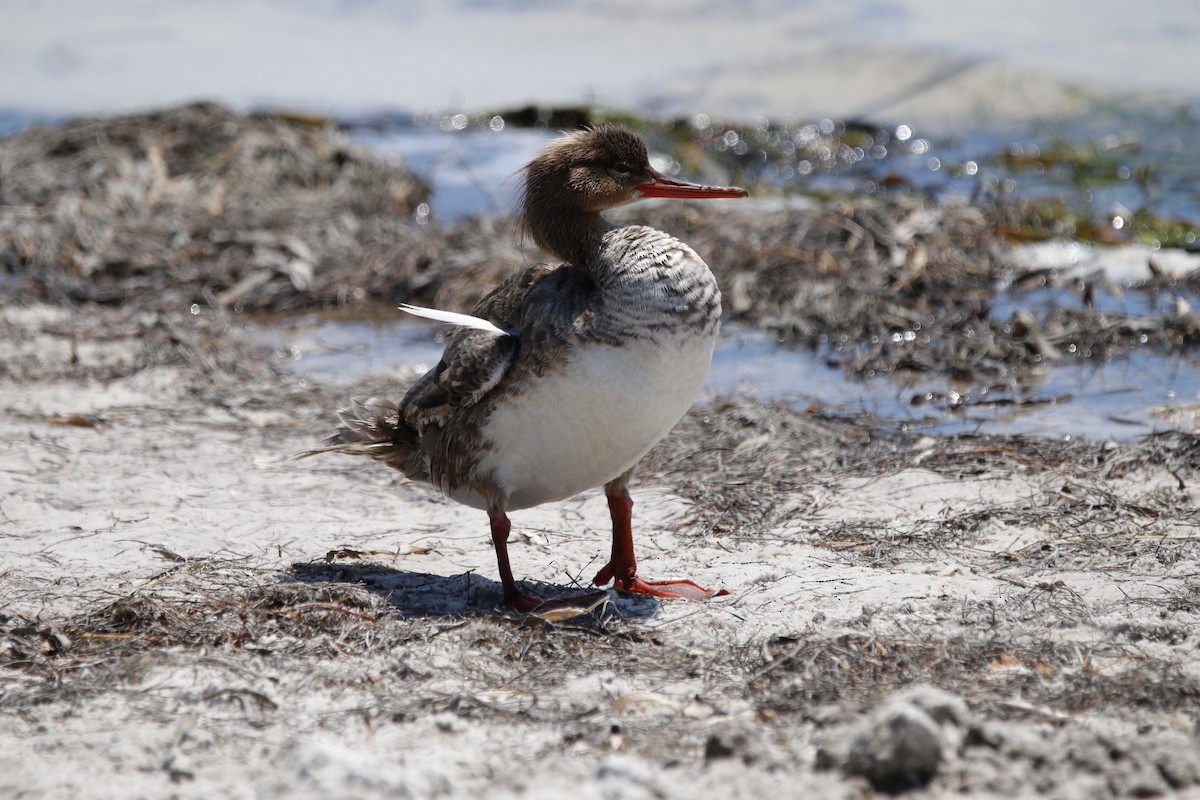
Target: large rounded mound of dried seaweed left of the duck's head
[(195, 204)]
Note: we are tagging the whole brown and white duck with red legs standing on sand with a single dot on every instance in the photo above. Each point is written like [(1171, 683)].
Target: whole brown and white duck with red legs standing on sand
[(571, 371)]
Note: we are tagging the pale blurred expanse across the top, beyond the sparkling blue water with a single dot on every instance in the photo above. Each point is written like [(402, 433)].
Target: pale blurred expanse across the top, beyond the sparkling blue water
[(937, 63)]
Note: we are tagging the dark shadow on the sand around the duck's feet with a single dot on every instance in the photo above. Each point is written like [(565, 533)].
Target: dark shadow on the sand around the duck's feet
[(467, 594)]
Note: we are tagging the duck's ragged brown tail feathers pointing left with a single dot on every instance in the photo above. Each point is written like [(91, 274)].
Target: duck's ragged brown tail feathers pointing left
[(376, 430)]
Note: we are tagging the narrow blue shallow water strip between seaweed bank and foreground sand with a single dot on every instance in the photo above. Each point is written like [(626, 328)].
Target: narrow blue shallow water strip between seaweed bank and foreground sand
[(1102, 401)]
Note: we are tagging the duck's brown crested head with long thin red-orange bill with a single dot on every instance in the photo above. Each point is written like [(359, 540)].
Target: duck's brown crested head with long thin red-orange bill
[(579, 176)]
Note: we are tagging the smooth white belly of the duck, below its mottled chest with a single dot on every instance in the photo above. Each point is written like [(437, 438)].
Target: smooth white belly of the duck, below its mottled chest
[(583, 426)]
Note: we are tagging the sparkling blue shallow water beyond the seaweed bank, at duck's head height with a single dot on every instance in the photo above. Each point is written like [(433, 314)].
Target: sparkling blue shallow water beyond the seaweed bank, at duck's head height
[(1105, 166)]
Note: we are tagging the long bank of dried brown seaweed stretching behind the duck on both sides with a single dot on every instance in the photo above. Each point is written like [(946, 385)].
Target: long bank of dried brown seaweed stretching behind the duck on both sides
[(197, 206)]
